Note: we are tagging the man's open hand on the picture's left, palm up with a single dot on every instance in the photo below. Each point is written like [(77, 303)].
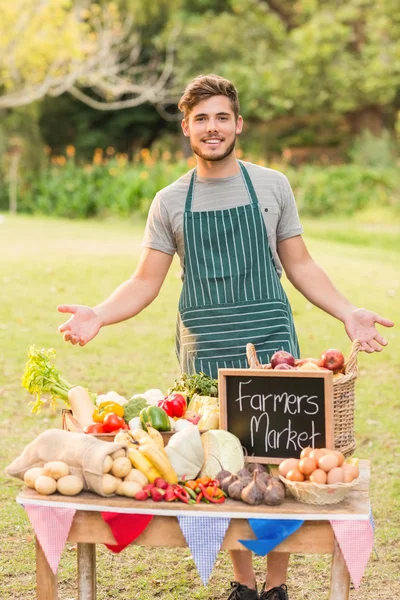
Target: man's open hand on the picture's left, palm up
[(82, 327)]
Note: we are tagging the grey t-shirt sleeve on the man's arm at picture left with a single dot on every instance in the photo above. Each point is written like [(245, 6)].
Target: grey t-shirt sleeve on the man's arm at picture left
[(158, 233)]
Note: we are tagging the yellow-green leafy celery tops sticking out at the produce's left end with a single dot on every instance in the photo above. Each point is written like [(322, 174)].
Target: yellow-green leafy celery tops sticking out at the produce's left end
[(40, 377)]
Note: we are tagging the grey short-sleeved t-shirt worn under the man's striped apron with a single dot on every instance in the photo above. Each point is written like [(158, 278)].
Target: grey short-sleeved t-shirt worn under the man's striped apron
[(164, 227)]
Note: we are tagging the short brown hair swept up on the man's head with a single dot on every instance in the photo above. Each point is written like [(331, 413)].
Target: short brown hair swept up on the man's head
[(207, 86)]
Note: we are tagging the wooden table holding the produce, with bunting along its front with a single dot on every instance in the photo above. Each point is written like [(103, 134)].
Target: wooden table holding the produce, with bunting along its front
[(88, 528)]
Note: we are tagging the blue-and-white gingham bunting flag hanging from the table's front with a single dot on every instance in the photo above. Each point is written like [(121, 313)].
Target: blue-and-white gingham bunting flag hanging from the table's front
[(204, 536)]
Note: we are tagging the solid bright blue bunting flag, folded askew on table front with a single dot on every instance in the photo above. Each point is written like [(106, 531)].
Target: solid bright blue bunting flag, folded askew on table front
[(270, 533)]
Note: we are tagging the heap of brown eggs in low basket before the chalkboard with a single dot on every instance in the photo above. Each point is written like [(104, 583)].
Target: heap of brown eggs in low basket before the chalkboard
[(320, 465)]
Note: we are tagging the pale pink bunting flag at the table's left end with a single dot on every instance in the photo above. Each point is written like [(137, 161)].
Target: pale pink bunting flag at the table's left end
[(52, 527)]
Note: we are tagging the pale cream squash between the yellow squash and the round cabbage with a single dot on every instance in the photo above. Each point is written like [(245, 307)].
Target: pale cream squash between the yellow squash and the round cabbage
[(185, 452)]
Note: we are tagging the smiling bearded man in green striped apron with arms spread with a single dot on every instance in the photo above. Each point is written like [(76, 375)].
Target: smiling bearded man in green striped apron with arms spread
[(234, 226)]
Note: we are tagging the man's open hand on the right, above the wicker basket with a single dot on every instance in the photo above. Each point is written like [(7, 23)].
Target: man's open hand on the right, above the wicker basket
[(361, 325)]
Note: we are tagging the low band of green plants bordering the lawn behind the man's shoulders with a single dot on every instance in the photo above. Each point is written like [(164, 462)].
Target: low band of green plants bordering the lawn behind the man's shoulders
[(119, 188)]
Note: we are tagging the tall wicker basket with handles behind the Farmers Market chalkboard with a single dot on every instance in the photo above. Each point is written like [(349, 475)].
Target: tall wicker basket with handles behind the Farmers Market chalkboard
[(343, 398)]
